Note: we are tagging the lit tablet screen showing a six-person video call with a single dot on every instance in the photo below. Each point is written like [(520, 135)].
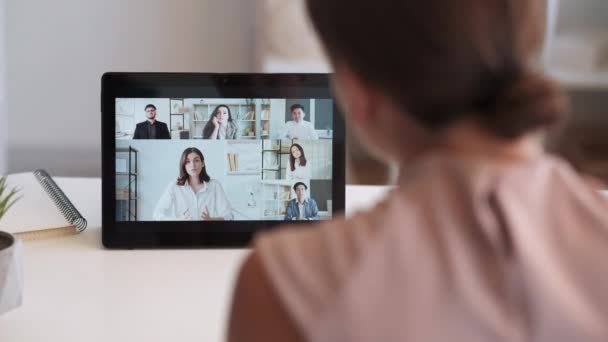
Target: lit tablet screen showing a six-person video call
[(238, 159)]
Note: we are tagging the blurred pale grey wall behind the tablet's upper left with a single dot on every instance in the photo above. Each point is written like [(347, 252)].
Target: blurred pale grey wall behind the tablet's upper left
[(58, 50)]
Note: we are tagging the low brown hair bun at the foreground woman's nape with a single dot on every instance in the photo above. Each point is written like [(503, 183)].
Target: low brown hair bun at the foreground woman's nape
[(530, 102)]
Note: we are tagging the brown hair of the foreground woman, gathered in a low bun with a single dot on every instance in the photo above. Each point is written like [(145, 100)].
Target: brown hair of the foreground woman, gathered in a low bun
[(442, 61)]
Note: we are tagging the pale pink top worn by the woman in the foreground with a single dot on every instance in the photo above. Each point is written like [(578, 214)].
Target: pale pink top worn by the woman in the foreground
[(461, 251)]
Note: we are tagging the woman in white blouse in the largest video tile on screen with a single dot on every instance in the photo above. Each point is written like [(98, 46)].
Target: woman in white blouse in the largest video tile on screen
[(194, 196)]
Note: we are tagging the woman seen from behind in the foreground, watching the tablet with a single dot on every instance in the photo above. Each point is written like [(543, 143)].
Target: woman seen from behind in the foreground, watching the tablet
[(487, 237)]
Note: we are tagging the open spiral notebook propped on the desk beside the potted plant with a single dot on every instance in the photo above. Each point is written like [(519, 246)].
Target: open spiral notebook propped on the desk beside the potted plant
[(42, 209)]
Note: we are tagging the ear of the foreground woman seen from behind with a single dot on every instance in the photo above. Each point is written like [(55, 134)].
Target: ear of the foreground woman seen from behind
[(356, 98)]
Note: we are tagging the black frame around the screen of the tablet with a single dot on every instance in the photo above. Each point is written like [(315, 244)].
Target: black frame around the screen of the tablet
[(207, 234)]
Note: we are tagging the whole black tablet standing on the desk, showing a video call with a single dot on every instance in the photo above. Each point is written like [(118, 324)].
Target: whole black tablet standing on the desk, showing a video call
[(207, 160)]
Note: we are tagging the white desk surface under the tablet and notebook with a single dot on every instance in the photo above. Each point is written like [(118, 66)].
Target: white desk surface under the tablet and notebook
[(75, 290)]
